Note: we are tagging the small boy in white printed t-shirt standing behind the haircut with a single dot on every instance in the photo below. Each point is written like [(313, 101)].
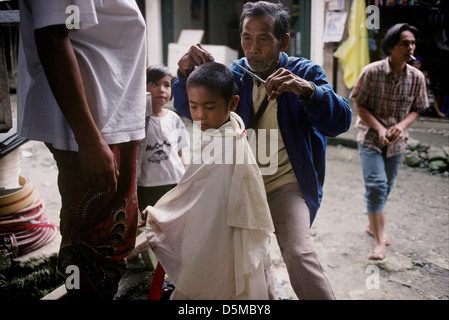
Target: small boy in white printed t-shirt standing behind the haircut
[(162, 164)]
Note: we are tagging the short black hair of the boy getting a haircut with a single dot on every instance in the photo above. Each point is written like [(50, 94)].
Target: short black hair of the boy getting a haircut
[(216, 77)]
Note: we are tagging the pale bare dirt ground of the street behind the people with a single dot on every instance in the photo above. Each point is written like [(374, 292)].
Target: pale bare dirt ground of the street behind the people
[(417, 263)]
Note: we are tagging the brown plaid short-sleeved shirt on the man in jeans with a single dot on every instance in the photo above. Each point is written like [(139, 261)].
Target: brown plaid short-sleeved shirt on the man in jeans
[(389, 100)]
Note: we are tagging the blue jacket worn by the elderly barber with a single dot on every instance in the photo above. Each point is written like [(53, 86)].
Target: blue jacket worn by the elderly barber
[(304, 124)]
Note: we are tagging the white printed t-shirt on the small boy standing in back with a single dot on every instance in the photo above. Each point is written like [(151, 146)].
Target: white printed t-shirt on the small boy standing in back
[(160, 163)]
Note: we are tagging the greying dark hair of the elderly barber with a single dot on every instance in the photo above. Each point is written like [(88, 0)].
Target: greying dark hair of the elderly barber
[(278, 11)]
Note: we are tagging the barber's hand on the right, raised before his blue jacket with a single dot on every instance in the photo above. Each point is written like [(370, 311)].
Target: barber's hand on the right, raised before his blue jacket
[(285, 81)]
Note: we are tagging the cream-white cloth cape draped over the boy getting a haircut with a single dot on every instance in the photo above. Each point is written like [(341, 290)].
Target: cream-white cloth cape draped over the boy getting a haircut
[(210, 233)]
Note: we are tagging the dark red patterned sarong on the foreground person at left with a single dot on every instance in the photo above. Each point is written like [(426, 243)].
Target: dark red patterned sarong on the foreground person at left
[(98, 229)]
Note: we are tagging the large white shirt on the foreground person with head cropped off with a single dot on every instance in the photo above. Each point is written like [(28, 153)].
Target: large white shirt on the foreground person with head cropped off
[(110, 48)]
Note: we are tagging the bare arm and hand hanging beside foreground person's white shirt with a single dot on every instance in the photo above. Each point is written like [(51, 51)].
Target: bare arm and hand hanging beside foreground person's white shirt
[(97, 161)]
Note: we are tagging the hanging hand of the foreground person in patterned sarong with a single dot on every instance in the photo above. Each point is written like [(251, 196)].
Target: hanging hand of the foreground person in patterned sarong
[(98, 166)]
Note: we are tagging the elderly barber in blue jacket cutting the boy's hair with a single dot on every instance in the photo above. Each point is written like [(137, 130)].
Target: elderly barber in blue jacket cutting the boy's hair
[(296, 101)]
